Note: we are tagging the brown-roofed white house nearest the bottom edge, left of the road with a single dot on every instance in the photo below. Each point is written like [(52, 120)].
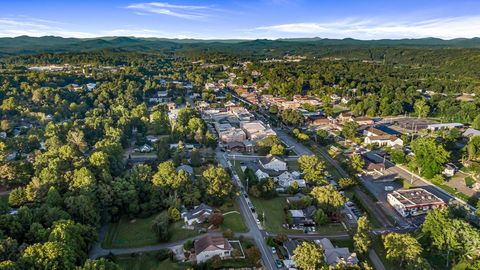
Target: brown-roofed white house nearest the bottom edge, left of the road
[(210, 246)]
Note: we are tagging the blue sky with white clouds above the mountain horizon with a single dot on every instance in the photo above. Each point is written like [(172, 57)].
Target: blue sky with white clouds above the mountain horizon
[(244, 19)]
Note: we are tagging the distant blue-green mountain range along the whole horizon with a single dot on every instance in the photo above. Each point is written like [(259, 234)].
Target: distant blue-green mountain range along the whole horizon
[(30, 45)]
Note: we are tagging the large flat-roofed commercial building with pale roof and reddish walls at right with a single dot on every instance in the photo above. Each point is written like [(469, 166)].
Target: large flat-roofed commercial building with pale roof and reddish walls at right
[(413, 202)]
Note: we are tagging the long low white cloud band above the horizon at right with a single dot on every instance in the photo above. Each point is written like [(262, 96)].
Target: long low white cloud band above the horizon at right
[(377, 28)]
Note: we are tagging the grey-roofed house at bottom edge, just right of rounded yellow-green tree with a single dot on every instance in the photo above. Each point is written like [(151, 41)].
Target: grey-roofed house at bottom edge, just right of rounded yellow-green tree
[(334, 256)]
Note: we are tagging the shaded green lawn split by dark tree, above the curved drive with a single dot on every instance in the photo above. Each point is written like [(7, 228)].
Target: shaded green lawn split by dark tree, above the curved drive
[(138, 232)]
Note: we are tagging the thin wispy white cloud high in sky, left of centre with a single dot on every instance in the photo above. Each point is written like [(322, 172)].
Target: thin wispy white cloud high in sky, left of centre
[(192, 12)]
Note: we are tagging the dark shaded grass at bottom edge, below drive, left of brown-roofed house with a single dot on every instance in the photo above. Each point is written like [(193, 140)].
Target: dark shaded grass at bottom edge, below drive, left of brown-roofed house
[(147, 261)]
